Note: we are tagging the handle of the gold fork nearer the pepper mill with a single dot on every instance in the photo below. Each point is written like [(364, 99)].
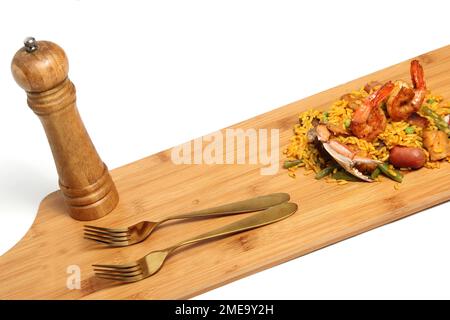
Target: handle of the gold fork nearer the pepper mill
[(249, 205)]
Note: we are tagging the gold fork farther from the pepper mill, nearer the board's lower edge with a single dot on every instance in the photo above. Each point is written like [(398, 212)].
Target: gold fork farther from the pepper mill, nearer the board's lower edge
[(152, 262)]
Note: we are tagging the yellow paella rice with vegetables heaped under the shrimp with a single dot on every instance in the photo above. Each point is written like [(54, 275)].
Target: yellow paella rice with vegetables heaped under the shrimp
[(340, 117)]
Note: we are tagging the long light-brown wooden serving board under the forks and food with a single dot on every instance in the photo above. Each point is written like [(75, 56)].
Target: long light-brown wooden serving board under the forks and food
[(154, 187)]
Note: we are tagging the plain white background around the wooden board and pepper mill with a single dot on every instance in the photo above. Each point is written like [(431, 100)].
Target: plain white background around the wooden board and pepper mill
[(151, 75)]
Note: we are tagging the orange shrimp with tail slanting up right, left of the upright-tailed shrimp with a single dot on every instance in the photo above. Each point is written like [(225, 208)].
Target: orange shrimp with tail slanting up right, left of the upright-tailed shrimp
[(369, 120)]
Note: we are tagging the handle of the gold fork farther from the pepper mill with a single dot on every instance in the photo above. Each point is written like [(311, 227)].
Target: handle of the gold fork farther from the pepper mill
[(268, 216)]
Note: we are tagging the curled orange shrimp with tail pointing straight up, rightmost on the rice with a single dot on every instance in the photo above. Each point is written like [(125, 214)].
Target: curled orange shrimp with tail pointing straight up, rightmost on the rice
[(404, 100)]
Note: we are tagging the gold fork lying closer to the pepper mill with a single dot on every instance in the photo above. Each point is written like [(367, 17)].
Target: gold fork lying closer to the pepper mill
[(121, 237)]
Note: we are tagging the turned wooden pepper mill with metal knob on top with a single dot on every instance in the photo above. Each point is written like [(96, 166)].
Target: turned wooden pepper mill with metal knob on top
[(41, 68)]
